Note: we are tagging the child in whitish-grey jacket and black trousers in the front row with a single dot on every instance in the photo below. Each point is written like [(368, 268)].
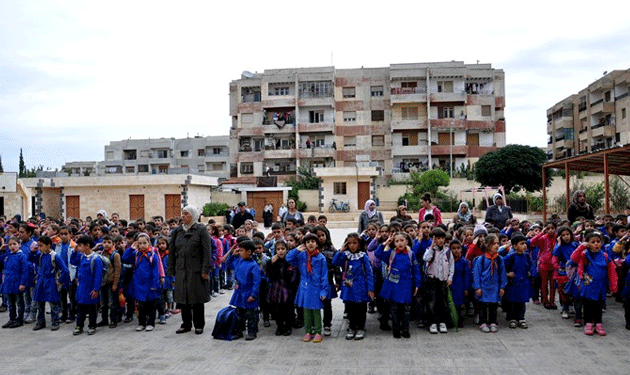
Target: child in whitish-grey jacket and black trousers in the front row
[(439, 270)]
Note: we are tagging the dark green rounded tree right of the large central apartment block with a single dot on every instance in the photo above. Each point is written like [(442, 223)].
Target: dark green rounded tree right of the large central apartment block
[(515, 167)]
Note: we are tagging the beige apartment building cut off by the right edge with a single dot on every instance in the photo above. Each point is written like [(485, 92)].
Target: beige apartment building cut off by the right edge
[(593, 119)]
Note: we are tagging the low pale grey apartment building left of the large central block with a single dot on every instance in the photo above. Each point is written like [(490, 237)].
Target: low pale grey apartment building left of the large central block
[(196, 155)]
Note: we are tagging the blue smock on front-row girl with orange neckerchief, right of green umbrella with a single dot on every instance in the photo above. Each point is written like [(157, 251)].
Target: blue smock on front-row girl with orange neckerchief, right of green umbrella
[(489, 279)]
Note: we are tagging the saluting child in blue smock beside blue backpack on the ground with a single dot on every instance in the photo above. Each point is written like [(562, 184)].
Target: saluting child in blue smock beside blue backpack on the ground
[(246, 287)]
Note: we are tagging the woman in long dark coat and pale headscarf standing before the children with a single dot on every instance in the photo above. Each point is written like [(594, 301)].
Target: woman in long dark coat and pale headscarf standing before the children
[(190, 250)]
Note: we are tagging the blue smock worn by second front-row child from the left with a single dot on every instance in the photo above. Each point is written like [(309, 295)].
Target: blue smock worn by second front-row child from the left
[(46, 286)]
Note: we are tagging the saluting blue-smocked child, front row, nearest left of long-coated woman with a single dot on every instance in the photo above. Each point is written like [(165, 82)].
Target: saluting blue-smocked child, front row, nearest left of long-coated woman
[(148, 277)]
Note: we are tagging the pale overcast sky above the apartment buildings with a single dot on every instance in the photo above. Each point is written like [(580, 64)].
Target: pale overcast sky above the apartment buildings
[(75, 75)]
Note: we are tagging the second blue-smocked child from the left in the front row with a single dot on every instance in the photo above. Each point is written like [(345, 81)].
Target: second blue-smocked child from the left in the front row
[(52, 274)]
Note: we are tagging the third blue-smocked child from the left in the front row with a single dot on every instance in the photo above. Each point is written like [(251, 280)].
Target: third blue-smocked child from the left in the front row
[(89, 279)]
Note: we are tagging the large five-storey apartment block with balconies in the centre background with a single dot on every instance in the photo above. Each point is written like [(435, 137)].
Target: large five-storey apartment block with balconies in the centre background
[(398, 117)]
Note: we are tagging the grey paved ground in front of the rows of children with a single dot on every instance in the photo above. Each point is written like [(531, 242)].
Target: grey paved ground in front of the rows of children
[(551, 345)]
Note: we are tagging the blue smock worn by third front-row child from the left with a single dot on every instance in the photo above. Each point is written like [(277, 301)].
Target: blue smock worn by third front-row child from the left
[(89, 276)]
